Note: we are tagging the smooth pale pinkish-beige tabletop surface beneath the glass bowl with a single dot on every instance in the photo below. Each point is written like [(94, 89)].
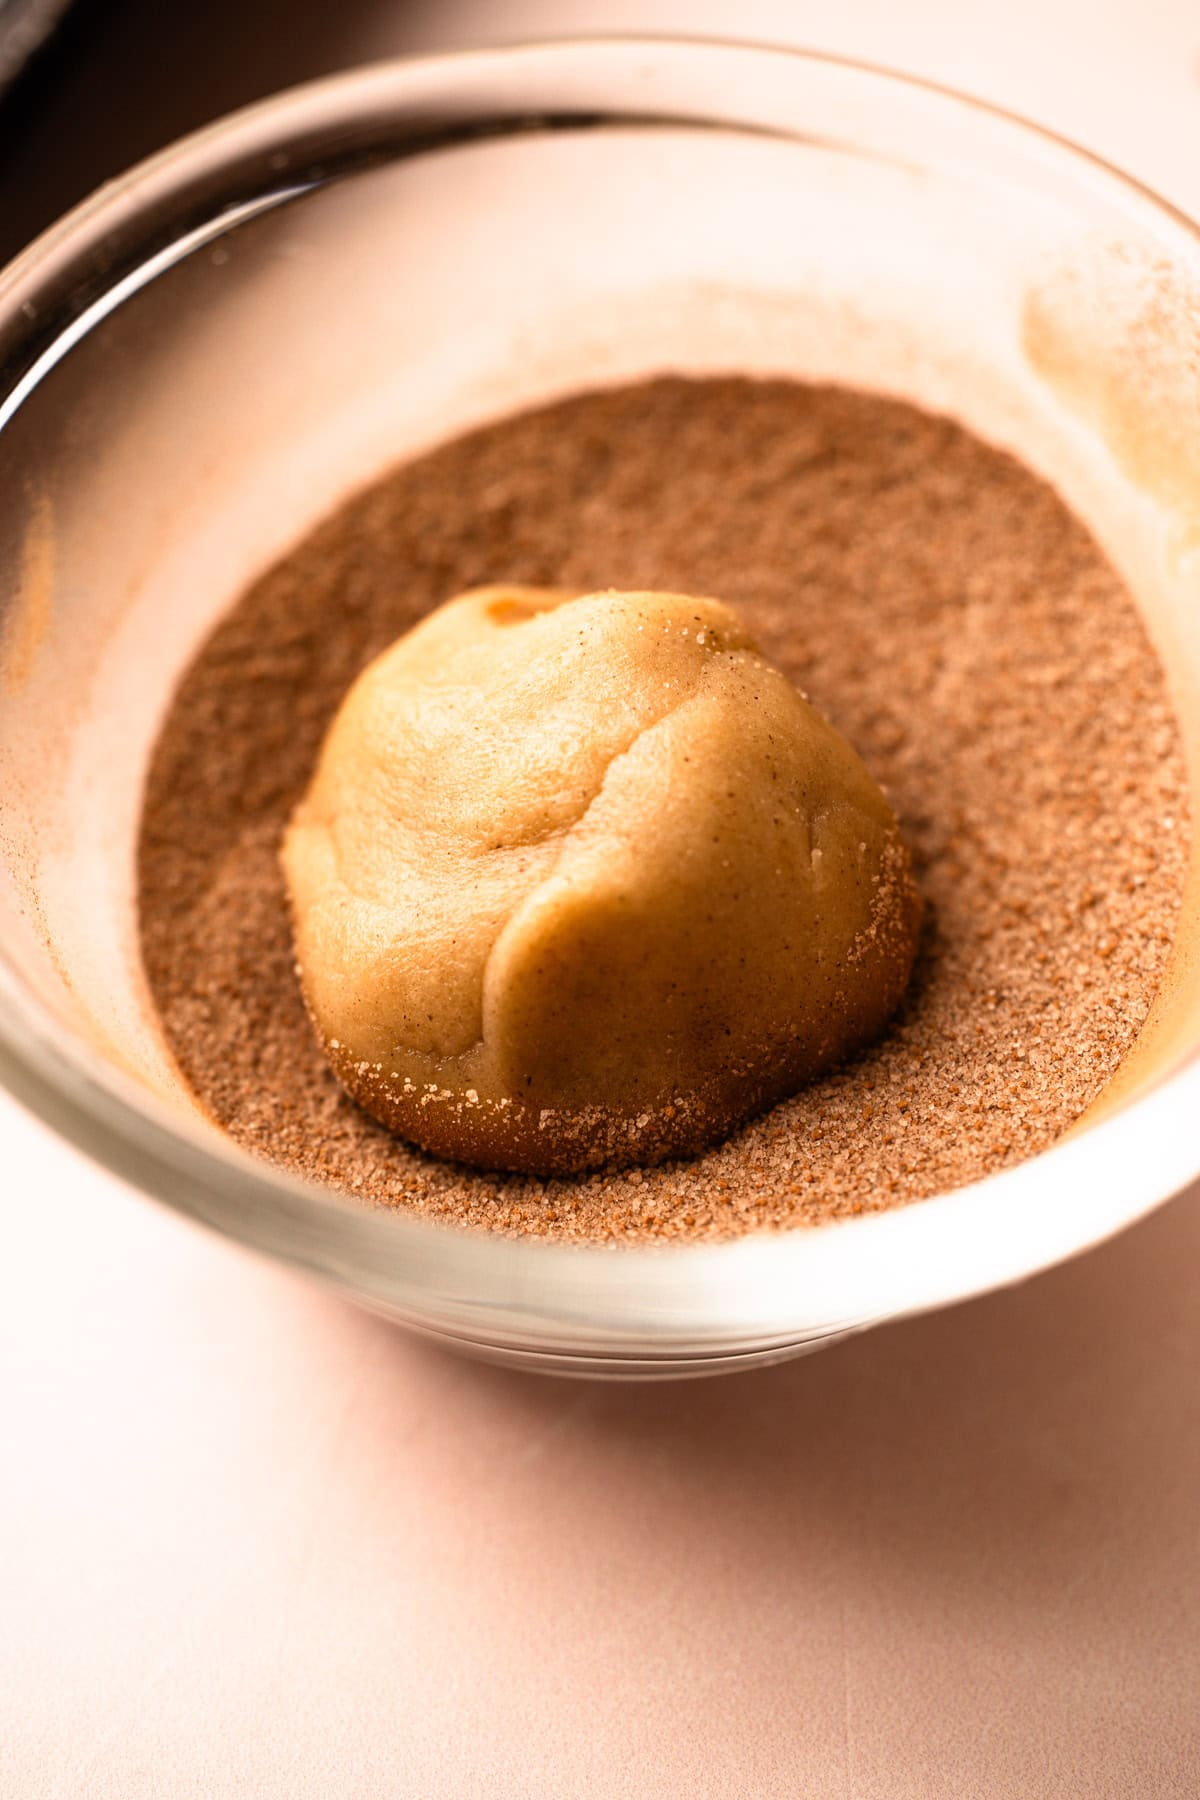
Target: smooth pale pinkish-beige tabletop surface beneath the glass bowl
[(258, 1543)]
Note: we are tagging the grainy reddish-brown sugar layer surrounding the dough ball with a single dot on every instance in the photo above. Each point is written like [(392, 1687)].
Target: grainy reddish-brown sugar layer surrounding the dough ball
[(938, 604)]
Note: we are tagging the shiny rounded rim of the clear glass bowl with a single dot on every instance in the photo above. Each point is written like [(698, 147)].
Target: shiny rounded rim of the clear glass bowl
[(627, 1309)]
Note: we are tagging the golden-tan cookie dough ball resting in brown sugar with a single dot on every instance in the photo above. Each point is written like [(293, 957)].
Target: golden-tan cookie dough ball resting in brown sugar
[(584, 881)]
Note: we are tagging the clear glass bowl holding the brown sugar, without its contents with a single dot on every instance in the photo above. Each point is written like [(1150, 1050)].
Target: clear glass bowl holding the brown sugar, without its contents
[(202, 359)]
